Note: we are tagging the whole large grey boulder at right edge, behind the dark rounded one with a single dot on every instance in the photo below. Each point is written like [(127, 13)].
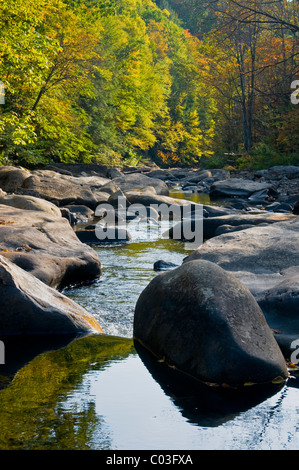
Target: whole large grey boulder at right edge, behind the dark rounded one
[(266, 259)]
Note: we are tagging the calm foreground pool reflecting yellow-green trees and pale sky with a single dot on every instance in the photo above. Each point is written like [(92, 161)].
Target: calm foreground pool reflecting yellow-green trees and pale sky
[(98, 393)]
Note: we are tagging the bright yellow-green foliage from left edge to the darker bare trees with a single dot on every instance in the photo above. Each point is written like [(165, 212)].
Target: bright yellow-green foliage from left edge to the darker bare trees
[(88, 80)]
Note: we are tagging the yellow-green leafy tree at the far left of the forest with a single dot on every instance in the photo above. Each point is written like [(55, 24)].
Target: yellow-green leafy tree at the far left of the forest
[(47, 57)]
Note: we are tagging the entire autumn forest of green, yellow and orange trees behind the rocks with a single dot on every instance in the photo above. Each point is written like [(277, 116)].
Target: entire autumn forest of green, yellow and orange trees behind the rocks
[(178, 82)]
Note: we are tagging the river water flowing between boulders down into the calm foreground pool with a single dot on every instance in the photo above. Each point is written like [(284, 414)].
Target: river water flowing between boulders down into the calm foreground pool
[(99, 393)]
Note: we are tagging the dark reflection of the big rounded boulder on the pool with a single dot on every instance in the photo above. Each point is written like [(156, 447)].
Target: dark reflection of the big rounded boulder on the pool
[(200, 404)]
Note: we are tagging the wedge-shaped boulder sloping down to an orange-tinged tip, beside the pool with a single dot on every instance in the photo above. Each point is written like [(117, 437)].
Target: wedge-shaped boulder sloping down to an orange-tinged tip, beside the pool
[(29, 307)]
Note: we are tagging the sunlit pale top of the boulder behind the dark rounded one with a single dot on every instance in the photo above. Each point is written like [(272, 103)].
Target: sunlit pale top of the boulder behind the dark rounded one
[(258, 256)]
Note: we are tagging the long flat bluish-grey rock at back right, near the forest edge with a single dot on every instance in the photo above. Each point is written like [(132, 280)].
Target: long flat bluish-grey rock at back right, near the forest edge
[(238, 187)]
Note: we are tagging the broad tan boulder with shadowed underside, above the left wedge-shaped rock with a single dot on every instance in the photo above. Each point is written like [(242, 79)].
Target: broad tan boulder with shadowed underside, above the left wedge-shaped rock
[(47, 247)]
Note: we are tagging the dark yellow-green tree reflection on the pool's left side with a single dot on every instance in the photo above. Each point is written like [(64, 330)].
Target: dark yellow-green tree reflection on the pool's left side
[(32, 412)]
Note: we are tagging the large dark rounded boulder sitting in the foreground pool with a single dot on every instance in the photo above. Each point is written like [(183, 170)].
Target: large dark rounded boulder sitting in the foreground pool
[(203, 321)]
